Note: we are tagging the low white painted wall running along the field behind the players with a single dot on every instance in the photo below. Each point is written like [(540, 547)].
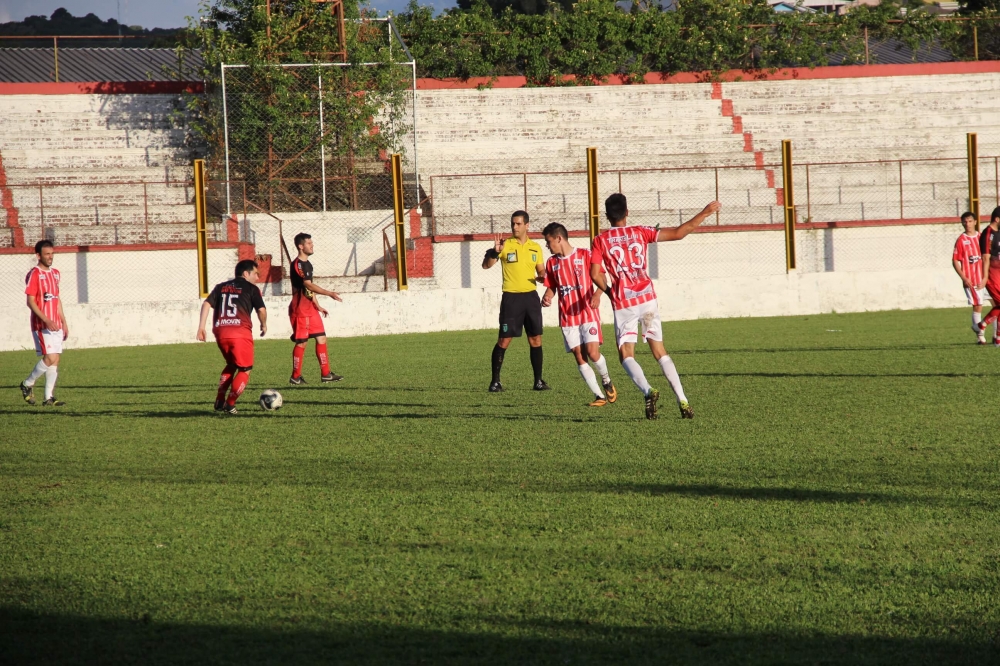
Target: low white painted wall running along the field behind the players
[(145, 297)]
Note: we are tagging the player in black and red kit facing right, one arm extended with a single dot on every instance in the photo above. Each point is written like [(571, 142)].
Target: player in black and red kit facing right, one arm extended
[(305, 314)]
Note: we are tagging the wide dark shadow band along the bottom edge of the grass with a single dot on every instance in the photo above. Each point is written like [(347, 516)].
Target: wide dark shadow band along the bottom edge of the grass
[(49, 638)]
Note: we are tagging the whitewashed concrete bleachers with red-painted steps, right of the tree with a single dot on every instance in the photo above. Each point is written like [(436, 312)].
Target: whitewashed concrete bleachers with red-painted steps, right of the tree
[(730, 124)]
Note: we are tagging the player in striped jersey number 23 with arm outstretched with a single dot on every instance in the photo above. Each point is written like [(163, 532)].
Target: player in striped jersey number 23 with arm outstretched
[(622, 251)]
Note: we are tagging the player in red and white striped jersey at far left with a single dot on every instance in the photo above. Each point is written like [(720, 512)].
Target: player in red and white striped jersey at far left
[(48, 324)]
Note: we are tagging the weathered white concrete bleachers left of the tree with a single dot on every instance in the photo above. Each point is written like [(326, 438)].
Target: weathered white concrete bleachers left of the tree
[(95, 169)]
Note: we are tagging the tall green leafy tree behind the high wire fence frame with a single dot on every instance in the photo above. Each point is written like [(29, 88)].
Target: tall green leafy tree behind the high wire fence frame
[(271, 108)]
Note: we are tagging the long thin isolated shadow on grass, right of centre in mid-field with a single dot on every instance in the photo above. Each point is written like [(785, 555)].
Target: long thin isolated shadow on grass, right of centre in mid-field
[(751, 493)]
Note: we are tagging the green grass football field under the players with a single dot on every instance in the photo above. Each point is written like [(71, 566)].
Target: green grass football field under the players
[(834, 501)]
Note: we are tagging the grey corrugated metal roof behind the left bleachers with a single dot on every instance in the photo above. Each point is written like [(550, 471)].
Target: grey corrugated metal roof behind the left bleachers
[(20, 65)]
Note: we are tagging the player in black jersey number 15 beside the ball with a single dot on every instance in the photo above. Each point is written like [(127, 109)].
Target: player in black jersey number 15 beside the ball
[(232, 303)]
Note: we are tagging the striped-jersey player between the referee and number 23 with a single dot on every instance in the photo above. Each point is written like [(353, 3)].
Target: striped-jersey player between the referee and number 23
[(567, 273)]
